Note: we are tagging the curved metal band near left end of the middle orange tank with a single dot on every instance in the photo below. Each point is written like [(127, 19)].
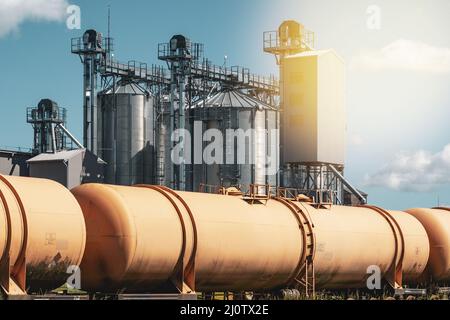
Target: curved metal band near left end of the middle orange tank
[(167, 193)]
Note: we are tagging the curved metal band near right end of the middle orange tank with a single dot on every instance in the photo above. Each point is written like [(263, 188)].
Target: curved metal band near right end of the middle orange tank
[(397, 231)]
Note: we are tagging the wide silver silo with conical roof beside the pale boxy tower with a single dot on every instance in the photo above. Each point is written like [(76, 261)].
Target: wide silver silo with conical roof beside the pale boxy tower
[(248, 155)]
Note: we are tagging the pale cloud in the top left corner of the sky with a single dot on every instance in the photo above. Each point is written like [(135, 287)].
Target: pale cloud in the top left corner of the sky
[(15, 12)]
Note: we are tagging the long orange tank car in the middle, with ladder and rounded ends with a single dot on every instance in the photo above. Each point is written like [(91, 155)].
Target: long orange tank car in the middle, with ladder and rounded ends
[(137, 236)]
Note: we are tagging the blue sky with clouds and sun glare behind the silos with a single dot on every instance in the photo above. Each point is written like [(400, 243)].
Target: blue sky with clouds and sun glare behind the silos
[(398, 105)]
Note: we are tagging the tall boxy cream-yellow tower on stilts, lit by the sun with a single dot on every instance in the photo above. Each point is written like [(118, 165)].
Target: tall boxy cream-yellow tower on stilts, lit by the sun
[(312, 106)]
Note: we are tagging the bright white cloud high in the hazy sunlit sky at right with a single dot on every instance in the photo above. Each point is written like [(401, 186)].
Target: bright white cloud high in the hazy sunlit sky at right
[(406, 55)]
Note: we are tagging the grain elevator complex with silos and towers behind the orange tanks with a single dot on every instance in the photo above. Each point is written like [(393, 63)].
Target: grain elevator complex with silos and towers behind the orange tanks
[(137, 118)]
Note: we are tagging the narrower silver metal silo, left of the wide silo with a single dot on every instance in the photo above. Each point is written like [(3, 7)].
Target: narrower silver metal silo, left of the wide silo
[(126, 134)]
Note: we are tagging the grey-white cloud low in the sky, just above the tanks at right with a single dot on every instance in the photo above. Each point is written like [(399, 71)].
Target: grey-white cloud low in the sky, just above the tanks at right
[(418, 171)]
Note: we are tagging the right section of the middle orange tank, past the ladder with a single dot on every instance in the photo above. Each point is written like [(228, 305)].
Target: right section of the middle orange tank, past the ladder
[(352, 241)]
